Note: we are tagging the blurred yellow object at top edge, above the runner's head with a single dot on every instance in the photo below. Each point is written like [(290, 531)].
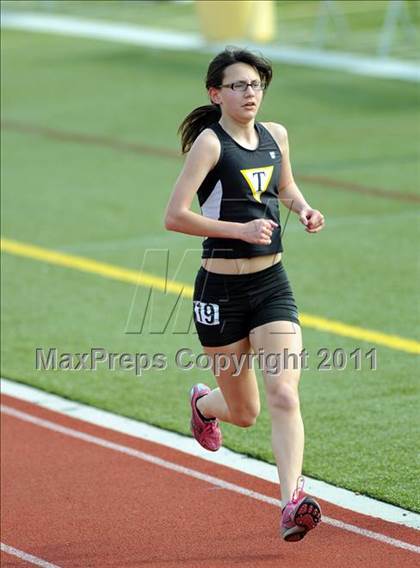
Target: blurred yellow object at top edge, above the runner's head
[(234, 20)]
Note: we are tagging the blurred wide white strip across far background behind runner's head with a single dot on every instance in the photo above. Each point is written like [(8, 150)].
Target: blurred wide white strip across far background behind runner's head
[(386, 68)]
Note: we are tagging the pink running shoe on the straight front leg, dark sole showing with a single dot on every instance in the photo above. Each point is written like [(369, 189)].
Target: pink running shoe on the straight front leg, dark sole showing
[(300, 515)]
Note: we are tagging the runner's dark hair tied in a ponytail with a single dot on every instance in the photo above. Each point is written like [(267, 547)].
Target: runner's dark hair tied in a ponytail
[(201, 117)]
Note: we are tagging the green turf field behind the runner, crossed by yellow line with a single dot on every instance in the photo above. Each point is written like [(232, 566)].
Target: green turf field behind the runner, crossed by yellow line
[(82, 197)]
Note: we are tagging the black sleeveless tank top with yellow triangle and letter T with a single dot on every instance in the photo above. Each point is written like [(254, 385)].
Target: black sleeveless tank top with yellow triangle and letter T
[(244, 185)]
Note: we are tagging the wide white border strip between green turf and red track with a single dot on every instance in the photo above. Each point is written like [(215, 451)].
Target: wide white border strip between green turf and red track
[(263, 470)]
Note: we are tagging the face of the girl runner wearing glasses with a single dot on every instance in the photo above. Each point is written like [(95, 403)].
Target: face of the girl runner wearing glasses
[(240, 105)]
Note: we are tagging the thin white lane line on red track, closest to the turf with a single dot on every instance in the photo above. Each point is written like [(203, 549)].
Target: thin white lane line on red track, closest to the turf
[(193, 473)]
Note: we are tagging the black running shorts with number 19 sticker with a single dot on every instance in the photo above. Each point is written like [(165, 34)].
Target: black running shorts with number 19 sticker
[(227, 307)]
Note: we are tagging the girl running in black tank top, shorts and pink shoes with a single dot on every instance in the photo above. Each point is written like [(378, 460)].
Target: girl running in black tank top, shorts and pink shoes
[(243, 302)]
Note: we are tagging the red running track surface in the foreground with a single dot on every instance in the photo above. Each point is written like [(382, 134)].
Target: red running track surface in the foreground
[(75, 505)]
